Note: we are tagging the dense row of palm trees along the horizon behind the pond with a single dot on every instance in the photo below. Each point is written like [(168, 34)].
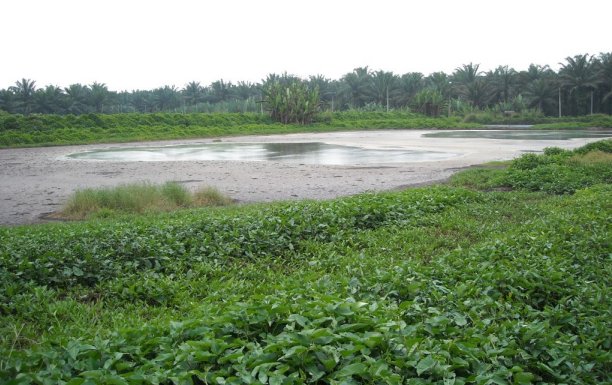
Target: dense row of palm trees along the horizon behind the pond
[(583, 85)]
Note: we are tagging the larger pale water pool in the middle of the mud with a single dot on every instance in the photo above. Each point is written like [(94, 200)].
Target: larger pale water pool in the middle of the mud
[(307, 153)]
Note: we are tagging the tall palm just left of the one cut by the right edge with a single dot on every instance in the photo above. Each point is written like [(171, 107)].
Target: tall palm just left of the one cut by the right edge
[(578, 76)]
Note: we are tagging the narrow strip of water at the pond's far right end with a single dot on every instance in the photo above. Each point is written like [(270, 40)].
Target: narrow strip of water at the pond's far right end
[(522, 134)]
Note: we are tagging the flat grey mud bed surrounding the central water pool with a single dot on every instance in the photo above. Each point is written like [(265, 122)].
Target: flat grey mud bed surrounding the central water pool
[(37, 181)]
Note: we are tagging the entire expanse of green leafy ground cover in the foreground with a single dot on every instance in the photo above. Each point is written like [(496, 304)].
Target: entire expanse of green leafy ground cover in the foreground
[(439, 285)]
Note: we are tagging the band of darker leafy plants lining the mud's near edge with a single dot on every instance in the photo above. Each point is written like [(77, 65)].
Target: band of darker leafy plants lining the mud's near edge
[(129, 248)]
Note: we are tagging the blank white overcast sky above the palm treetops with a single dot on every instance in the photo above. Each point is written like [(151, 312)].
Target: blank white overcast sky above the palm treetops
[(144, 44)]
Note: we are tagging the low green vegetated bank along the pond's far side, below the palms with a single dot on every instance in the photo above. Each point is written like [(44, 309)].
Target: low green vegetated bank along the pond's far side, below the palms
[(43, 130)]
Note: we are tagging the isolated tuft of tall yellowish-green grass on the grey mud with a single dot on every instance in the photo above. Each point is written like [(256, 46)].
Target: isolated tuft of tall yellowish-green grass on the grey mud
[(138, 198)]
